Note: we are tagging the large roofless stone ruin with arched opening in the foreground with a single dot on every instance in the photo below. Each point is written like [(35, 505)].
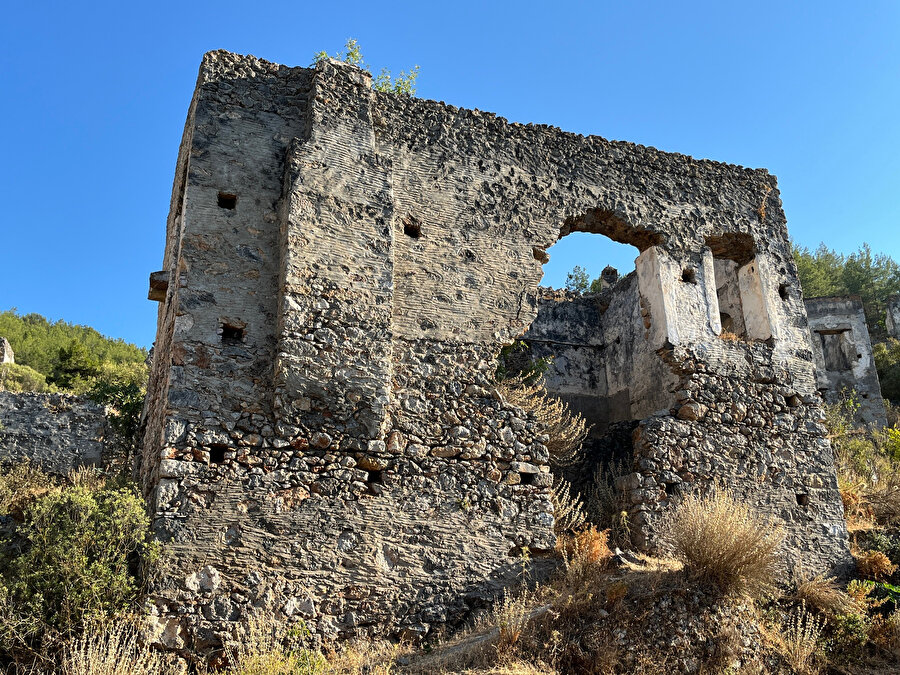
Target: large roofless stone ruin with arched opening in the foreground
[(324, 438)]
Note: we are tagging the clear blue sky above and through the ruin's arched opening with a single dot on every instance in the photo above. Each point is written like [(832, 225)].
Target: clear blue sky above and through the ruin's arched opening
[(94, 97)]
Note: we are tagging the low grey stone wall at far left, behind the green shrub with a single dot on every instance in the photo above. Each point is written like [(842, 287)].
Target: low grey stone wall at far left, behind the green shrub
[(59, 432)]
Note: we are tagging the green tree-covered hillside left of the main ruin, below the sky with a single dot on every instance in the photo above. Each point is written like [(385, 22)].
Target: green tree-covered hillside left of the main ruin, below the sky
[(37, 342)]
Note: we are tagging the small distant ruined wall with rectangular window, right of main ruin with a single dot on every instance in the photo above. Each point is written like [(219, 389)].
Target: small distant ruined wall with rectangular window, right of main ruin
[(843, 354)]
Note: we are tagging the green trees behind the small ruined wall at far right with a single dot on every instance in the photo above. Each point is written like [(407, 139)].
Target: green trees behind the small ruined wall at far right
[(873, 277)]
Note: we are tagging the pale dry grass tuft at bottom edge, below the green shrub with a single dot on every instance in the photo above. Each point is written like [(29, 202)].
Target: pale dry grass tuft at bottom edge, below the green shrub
[(111, 650)]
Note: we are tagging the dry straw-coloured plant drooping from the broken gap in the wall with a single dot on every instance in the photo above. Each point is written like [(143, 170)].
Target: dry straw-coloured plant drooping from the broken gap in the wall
[(567, 430)]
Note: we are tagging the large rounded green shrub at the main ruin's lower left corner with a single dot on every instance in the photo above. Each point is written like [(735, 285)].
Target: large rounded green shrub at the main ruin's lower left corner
[(73, 558)]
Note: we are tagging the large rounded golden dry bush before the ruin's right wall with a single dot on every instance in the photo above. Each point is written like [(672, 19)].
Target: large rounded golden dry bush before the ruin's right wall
[(723, 541)]
